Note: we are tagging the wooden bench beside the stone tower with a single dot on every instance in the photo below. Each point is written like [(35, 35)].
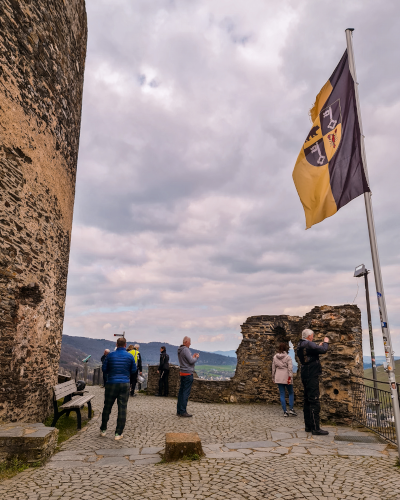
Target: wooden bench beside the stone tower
[(74, 400)]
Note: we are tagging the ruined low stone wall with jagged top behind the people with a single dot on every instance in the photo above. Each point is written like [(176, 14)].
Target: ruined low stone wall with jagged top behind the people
[(253, 382)]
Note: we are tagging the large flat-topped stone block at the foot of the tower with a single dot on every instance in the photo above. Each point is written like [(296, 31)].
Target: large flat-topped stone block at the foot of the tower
[(28, 442)]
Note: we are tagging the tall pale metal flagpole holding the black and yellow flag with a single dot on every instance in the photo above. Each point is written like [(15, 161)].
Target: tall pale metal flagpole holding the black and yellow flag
[(375, 258)]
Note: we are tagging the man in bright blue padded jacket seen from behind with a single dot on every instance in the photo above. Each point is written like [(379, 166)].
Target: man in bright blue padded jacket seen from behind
[(118, 366)]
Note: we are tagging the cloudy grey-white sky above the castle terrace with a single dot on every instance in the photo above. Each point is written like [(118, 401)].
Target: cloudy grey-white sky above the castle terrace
[(186, 217)]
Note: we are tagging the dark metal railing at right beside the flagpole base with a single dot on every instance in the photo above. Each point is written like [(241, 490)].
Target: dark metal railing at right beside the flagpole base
[(373, 408)]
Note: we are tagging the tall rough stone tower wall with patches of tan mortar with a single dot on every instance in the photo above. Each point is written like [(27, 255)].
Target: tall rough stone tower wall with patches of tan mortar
[(42, 60)]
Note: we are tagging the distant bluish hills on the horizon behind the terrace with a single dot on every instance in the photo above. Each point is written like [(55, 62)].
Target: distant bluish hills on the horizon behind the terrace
[(74, 349)]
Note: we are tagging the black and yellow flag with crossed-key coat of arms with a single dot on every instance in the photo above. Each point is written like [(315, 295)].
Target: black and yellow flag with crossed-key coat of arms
[(329, 170)]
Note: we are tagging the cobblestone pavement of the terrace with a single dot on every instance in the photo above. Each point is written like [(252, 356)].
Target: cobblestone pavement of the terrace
[(252, 452)]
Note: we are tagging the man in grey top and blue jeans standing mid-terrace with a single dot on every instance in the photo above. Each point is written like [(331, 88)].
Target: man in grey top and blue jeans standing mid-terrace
[(186, 369)]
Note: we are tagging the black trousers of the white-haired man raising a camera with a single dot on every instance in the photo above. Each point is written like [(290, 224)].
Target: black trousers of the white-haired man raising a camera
[(310, 378)]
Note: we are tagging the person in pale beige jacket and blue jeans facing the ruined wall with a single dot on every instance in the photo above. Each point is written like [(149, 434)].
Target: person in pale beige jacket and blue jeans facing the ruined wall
[(282, 374)]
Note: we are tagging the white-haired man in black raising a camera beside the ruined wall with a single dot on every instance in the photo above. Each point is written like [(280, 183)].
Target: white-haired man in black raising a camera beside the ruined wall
[(308, 353)]
